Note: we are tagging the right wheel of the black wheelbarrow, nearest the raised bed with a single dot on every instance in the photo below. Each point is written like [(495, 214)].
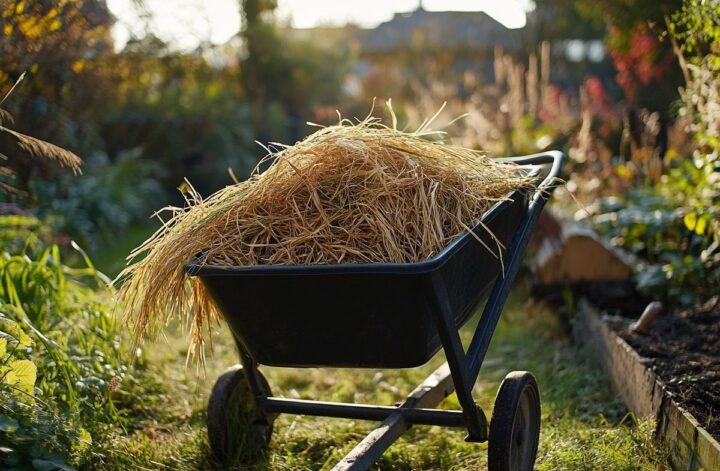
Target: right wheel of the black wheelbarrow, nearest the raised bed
[(515, 424)]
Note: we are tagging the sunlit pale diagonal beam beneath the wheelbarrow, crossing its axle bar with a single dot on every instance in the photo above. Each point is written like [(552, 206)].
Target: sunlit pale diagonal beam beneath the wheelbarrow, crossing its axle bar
[(429, 394)]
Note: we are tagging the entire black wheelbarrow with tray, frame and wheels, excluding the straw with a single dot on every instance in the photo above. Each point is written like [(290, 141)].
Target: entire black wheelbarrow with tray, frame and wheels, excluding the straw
[(387, 316)]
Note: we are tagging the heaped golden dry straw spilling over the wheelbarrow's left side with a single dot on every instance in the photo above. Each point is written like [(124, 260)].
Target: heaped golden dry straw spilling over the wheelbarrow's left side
[(350, 193)]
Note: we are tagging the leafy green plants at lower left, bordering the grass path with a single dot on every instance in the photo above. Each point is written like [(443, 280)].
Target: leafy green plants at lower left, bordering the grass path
[(60, 361)]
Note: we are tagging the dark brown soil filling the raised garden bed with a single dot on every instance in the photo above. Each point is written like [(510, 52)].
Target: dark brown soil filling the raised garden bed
[(684, 351)]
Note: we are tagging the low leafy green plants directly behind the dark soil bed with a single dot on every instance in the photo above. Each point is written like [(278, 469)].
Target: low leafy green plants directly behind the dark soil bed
[(676, 238)]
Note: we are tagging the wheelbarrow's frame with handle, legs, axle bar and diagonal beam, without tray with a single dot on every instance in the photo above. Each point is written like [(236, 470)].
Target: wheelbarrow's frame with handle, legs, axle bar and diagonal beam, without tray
[(458, 374)]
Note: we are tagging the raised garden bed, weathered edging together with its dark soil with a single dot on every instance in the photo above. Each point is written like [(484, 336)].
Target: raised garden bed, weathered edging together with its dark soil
[(673, 375)]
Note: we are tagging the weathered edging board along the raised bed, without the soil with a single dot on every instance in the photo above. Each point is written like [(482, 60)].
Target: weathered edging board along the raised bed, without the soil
[(691, 447)]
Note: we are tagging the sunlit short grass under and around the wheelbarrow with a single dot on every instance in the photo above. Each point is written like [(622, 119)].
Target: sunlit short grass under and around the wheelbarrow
[(583, 426)]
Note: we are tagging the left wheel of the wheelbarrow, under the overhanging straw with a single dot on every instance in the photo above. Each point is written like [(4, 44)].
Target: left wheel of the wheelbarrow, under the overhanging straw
[(237, 430)]
